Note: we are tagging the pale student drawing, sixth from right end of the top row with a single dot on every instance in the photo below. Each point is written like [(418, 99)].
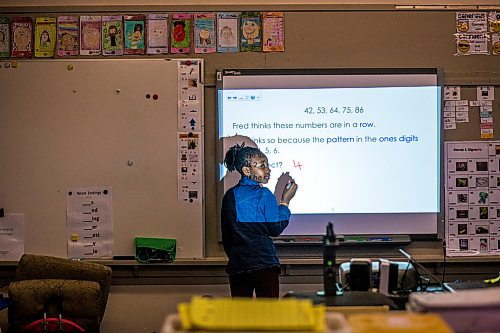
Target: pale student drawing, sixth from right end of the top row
[(157, 24)]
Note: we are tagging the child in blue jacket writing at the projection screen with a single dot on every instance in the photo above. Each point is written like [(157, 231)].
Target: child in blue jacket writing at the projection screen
[(250, 216)]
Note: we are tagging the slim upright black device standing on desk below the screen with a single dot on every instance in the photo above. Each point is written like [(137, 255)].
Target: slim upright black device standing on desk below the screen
[(329, 252)]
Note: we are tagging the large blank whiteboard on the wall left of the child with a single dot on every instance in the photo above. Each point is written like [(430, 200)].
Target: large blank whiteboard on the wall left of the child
[(83, 123)]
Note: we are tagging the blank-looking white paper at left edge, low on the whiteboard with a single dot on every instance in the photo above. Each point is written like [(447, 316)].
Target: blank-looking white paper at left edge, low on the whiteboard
[(11, 237)]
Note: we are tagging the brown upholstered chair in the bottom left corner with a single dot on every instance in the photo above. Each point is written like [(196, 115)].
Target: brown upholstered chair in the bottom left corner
[(78, 290)]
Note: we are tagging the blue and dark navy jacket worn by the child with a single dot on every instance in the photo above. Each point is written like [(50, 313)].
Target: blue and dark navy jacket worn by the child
[(250, 216)]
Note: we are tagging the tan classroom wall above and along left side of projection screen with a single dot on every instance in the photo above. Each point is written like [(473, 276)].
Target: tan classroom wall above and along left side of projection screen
[(379, 36)]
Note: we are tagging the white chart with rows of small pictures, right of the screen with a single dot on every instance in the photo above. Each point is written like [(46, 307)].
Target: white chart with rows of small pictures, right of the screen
[(472, 198)]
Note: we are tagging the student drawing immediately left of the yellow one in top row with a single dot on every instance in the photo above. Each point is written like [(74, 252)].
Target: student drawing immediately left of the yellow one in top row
[(22, 39)]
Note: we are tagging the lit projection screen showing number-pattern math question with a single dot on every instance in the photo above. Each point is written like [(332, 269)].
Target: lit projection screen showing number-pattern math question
[(363, 145)]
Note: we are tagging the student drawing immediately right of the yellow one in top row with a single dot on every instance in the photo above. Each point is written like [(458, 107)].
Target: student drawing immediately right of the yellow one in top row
[(67, 36)]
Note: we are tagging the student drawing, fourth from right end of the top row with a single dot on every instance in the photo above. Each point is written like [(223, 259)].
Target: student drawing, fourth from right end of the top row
[(204, 33)]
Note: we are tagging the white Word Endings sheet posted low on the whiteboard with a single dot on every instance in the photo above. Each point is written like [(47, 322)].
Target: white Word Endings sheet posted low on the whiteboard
[(89, 216)]
